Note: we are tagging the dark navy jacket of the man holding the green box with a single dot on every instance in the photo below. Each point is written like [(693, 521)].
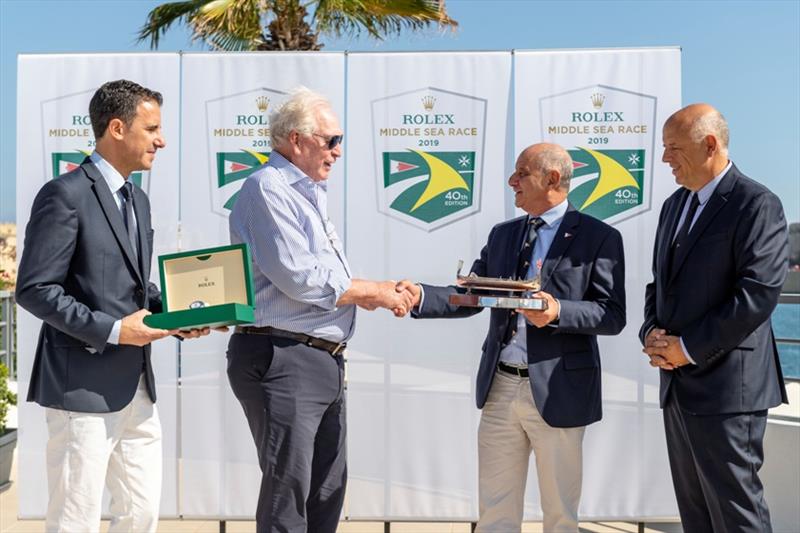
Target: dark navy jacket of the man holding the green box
[(78, 275)]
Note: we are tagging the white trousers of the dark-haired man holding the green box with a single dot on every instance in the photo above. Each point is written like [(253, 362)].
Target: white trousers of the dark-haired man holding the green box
[(121, 450)]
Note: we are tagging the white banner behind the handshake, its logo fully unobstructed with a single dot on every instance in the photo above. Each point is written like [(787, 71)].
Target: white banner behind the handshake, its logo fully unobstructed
[(425, 183)]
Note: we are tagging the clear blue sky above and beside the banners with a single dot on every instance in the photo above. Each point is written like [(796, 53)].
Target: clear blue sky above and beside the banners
[(741, 56)]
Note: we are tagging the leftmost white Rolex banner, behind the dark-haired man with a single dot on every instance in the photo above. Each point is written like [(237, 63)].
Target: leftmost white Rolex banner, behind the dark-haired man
[(53, 136)]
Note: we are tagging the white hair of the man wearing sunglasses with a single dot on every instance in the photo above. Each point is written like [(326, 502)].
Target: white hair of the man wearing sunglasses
[(298, 113)]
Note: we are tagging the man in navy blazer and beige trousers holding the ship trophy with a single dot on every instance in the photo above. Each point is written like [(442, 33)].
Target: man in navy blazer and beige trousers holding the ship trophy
[(539, 377)]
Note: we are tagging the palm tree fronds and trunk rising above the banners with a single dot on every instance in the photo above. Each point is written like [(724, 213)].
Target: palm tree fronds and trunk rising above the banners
[(282, 24)]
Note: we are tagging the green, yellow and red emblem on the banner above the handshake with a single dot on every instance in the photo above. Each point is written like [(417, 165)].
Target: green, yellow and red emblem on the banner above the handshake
[(437, 184)]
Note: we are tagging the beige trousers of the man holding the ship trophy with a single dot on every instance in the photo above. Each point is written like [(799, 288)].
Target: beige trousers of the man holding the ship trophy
[(510, 428)]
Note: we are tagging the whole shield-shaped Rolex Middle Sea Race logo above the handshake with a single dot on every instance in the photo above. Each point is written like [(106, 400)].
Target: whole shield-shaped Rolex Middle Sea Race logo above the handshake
[(429, 145)]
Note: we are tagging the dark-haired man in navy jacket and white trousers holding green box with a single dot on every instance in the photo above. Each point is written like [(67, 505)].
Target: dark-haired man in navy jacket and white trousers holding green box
[(84, 272)]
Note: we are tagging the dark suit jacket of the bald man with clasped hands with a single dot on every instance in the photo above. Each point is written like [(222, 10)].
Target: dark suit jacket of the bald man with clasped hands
[(720, 297)]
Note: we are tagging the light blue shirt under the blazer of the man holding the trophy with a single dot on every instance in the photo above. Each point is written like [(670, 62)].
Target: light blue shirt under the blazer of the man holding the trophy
[(516, 352)]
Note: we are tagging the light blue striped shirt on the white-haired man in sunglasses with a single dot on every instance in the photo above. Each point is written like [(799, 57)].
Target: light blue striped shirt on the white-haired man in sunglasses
[(299, 267)]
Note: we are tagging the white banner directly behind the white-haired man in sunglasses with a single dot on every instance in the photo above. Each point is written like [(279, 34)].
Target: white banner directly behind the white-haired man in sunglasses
[(226, 100)]
